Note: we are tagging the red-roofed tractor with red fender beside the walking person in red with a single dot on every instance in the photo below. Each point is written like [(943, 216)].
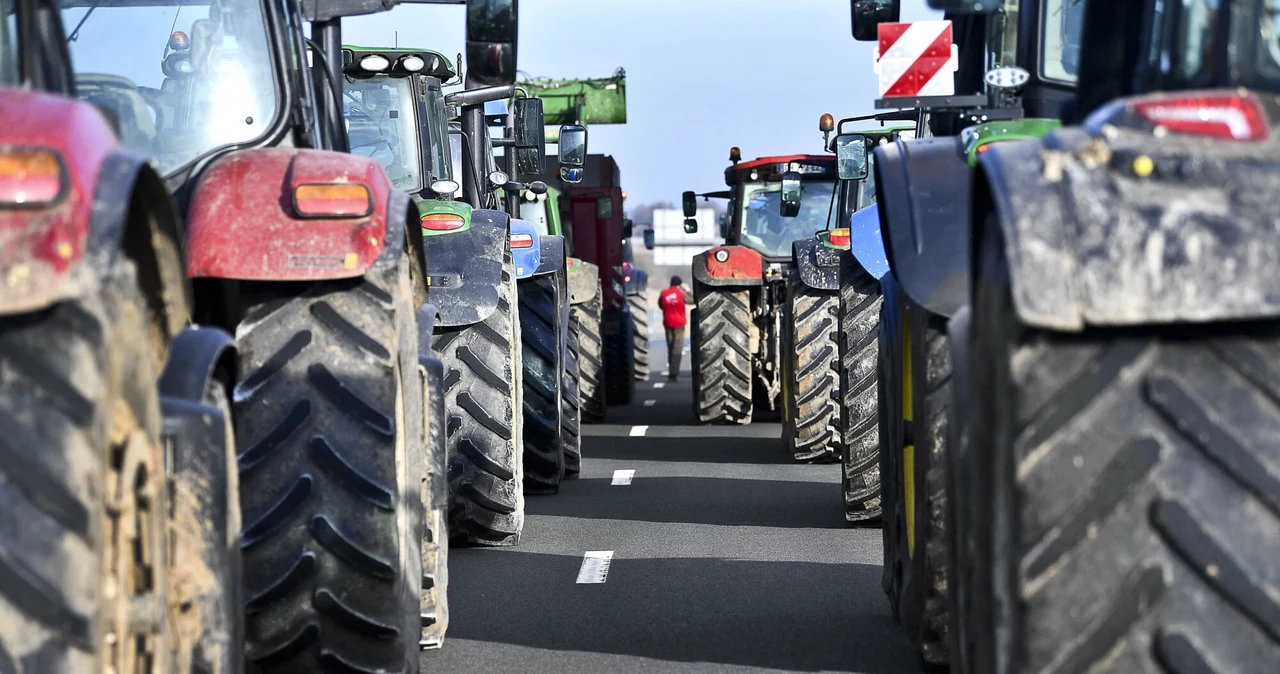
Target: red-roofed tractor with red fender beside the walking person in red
[(742, 287)]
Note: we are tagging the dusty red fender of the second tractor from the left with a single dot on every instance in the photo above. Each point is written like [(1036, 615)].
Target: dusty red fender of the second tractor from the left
[(243, 224)]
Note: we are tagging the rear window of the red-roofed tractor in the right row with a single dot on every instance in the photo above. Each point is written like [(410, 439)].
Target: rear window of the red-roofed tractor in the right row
[(767, 232)]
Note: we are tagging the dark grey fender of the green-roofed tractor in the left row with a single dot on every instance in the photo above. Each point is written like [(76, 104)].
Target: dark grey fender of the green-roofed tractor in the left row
[(465, 269)]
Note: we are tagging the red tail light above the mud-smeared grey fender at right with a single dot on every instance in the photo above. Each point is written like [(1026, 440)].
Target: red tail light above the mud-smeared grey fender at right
[(1228, 117)]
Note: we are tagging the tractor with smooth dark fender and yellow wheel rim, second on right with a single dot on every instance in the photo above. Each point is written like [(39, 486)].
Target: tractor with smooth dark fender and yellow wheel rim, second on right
[(1017, 75)]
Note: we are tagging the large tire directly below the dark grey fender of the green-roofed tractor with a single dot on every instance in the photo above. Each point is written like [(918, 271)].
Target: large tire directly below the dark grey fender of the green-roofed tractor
[(483, 395)]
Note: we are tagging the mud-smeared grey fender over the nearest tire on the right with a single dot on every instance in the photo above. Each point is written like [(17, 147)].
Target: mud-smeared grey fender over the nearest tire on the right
[(1089, 244)]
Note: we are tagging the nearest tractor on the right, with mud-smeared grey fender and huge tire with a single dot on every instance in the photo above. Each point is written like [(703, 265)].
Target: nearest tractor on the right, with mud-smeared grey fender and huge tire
[(1116, 489)]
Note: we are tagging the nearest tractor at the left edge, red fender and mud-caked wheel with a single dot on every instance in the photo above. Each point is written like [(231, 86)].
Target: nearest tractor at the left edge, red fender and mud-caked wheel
[(121, 538)]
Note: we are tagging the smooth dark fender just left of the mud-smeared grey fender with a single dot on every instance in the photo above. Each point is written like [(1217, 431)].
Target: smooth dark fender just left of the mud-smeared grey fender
[(922, 189)]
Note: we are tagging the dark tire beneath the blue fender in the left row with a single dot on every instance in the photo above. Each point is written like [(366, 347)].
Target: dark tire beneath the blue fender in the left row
[(541, 332)]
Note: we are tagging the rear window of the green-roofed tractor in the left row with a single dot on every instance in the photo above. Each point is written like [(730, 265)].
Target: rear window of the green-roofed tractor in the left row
[(381, 126)]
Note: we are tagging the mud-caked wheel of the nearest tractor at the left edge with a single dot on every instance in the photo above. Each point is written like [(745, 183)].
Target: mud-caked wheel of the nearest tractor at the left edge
[(84, 539)]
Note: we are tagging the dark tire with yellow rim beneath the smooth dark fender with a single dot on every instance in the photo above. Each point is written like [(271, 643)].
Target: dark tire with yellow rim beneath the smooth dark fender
[(913, 461)]
